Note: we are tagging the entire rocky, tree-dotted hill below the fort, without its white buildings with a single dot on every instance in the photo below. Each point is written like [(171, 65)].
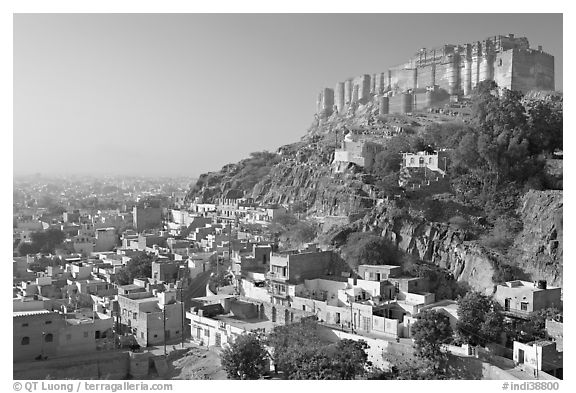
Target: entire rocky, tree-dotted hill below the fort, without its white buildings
[(499, 147)]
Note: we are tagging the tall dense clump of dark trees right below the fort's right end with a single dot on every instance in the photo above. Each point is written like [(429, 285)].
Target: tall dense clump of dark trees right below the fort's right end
[(505, 150)]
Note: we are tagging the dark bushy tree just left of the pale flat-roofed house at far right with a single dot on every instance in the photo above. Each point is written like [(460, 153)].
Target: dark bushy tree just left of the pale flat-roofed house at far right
[(479, 319)]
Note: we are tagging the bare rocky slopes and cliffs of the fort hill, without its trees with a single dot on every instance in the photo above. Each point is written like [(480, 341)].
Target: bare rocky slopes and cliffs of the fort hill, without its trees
[(302, 172)]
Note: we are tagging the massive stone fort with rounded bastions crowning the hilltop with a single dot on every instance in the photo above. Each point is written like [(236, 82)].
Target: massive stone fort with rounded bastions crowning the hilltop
[(446, 72)]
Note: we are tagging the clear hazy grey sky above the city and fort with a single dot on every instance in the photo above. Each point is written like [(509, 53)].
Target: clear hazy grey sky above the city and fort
[(183, 94)]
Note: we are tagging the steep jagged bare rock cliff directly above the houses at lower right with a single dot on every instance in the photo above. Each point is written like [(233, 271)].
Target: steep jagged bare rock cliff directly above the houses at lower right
[(537, 250)]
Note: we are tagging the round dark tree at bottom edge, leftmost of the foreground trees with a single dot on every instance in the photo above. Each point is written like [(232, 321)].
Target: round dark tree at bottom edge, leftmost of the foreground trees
[(245, 358)]
